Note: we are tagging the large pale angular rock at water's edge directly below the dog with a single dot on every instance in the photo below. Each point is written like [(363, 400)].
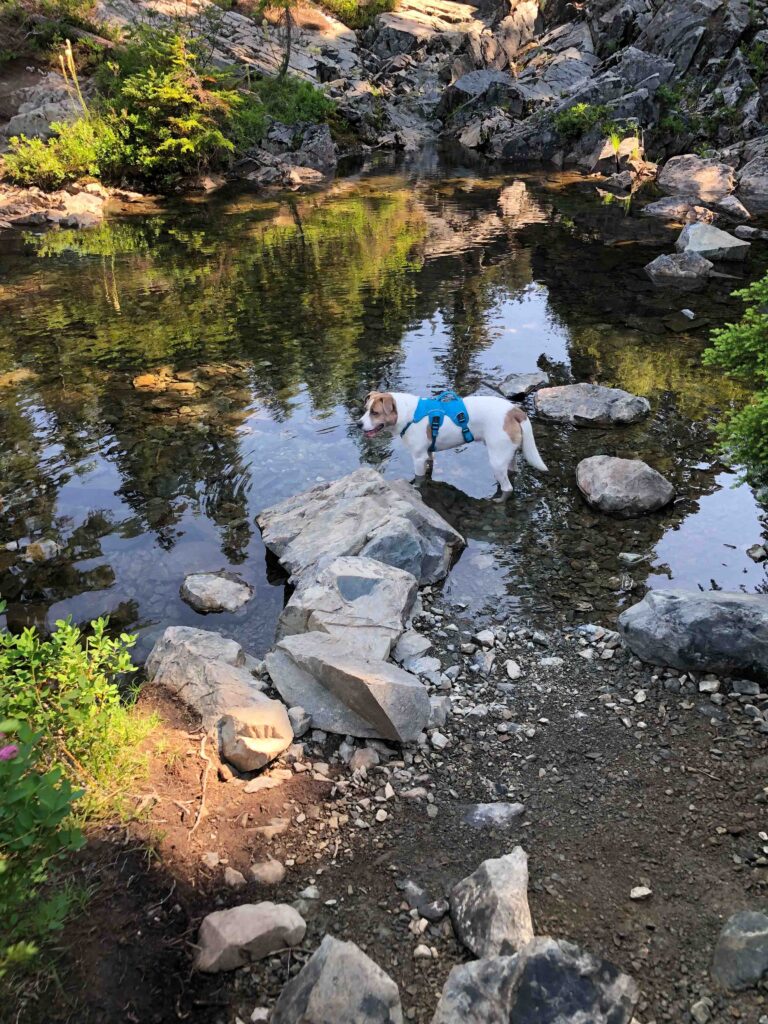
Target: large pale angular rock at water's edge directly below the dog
[(361, 515)]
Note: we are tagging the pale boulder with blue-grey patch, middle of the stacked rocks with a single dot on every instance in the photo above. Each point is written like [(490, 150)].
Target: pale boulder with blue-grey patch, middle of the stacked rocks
[(361, 601)]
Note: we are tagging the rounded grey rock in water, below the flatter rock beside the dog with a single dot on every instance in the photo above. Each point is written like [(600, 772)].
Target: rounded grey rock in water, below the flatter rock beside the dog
[(625, 488)]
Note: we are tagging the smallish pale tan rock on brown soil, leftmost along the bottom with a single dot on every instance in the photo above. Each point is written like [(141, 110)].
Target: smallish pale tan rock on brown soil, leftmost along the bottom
[(229, 940)]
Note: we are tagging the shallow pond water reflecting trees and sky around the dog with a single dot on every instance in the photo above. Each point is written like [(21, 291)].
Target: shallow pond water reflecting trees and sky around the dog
[(275, 318)]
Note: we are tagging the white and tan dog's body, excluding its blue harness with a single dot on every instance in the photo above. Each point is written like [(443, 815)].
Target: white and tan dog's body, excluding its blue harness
[(502, 428)]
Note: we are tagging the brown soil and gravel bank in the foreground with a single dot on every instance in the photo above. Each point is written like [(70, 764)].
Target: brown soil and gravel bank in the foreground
[(625, 784)]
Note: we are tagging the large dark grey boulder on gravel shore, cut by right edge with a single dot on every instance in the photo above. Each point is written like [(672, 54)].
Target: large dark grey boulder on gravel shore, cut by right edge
[(714, 631)]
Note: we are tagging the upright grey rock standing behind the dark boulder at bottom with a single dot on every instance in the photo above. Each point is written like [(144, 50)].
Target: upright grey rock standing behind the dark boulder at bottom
[(490, 908)]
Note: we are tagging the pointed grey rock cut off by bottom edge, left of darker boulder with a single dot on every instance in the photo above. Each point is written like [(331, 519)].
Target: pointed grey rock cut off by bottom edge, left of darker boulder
[(339, 986)]
